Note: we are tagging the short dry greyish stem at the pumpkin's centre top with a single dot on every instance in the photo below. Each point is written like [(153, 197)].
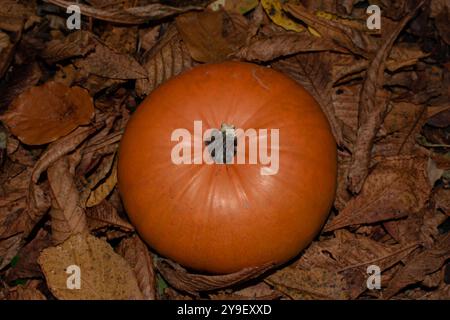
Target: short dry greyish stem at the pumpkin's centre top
[(222, 144)]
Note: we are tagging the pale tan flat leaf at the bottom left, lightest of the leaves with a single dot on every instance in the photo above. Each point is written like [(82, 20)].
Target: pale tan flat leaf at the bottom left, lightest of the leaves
[(104, 274)]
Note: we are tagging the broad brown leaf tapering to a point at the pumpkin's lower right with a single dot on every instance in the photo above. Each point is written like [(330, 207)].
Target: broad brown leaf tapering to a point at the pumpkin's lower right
[(397, 187)]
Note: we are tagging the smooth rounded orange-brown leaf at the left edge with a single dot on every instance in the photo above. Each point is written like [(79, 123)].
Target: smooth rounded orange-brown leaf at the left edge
[(44, 114)]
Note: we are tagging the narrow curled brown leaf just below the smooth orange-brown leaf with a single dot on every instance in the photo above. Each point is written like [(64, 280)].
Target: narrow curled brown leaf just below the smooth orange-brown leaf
[(60, 148)]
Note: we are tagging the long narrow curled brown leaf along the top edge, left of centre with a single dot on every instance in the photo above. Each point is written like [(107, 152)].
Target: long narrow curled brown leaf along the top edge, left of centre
[(133, 15)]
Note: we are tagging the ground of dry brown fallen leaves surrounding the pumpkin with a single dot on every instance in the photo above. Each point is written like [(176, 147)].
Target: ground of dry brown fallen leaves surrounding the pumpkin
[(66, 96)]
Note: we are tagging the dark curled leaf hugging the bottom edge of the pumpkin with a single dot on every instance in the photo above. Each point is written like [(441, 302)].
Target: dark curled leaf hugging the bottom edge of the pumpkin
[(193, 283)]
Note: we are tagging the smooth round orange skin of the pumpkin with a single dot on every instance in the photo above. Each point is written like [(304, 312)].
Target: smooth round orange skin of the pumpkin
[(221, 218)]
